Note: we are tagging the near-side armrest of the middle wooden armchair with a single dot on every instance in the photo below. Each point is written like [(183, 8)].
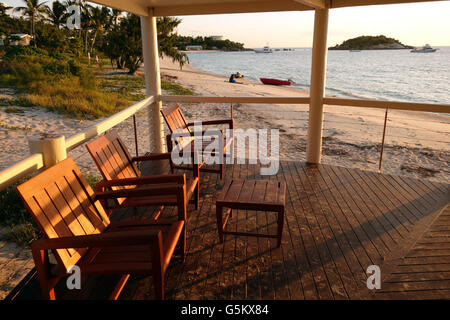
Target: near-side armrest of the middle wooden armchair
[(157, 179)]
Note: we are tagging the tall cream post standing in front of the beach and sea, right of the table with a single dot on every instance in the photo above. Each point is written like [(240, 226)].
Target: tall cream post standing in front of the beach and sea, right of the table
[(317, 87)]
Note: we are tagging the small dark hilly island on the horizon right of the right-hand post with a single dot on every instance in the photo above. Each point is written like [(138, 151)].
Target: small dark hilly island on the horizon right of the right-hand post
[(370, 43)]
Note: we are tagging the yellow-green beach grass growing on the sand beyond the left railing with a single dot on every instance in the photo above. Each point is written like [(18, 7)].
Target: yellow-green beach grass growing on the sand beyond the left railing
[(90, 98)]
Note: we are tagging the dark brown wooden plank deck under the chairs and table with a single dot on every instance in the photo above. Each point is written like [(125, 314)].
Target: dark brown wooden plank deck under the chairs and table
[(338, 222)]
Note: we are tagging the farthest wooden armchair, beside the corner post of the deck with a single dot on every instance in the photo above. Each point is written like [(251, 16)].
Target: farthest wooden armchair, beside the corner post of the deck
[(176, 121)]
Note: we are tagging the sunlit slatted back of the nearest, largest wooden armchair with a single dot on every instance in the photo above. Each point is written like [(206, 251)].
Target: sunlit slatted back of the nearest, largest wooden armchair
[(60, 200)]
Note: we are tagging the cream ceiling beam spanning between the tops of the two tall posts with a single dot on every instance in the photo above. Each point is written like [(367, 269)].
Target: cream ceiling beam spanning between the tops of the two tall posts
[(229, 7)]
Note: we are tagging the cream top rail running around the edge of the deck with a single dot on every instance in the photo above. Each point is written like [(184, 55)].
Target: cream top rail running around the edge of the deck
[(34, 162)]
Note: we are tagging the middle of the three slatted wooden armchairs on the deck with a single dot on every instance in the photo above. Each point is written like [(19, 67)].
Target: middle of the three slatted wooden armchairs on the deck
[(121, 174)]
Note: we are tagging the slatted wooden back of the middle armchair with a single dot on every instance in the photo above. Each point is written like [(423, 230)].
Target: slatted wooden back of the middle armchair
[(113, 159)]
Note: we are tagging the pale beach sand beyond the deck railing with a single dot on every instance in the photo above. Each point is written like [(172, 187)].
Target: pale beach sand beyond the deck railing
[(417, 143)]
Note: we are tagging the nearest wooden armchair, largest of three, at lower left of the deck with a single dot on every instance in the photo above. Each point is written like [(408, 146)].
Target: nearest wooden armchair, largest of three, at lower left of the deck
[(79, 232)]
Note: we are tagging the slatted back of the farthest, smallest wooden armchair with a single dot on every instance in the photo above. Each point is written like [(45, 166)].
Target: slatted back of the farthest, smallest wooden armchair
[(177, 123)]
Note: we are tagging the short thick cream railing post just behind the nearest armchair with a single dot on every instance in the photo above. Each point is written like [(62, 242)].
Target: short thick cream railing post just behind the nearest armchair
[(52, 147)]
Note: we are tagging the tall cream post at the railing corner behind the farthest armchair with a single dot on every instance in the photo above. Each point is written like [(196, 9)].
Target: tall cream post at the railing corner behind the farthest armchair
[(152, 80)]
